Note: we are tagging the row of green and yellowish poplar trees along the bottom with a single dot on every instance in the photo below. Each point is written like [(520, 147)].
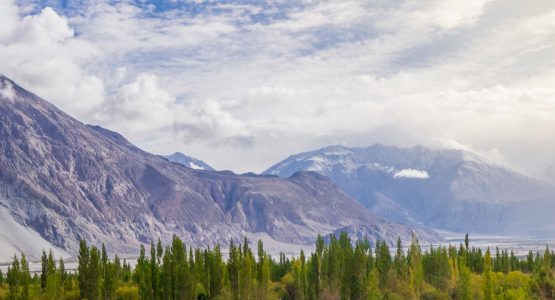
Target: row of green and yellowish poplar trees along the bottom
[(339, 268)]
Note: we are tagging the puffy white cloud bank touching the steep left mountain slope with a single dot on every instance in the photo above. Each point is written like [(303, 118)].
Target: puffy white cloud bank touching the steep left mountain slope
[(41, 53)]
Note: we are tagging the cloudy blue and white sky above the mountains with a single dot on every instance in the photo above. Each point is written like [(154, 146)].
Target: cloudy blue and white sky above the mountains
[(244, 84)]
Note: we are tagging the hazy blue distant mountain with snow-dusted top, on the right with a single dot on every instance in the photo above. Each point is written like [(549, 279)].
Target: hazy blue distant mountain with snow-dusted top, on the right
[(447, 189)]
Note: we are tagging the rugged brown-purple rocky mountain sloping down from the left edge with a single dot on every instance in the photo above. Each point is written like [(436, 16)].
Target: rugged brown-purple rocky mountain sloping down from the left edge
[(62, 180)]
